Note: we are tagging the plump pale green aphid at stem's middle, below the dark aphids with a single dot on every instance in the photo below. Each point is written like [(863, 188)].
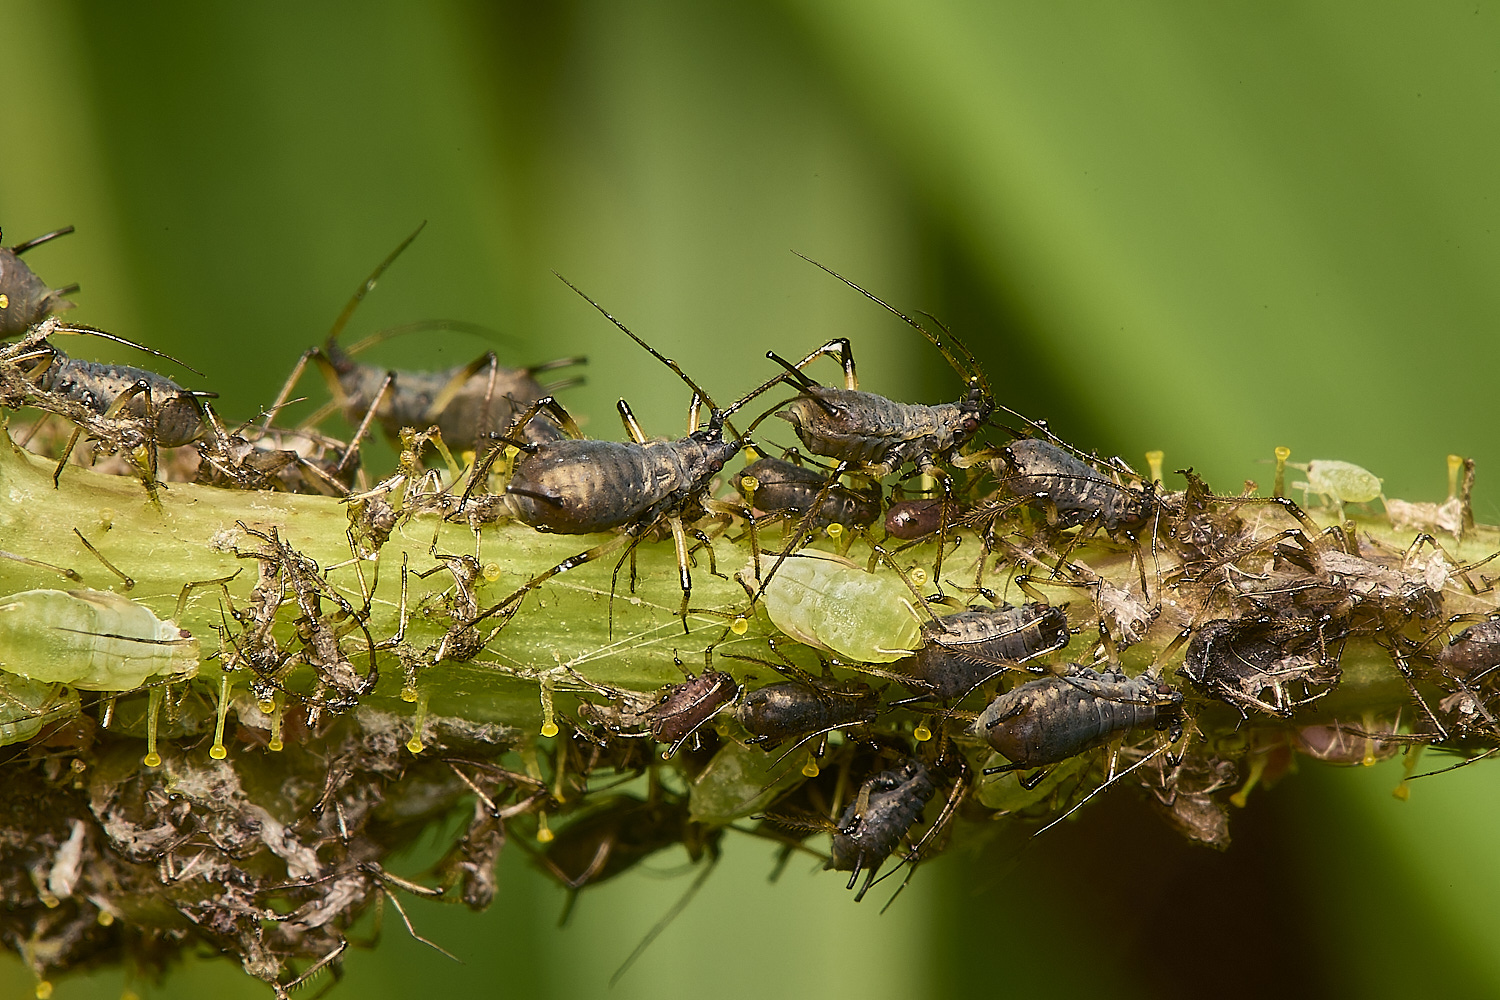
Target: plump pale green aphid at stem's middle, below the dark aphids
[(830, 603)]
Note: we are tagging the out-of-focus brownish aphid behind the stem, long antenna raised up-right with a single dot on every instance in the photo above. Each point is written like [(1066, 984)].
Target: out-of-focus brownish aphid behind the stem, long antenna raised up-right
[(470, 404)]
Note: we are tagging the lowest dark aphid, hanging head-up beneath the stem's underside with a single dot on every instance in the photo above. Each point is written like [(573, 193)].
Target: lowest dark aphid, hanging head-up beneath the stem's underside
[(883, 813)]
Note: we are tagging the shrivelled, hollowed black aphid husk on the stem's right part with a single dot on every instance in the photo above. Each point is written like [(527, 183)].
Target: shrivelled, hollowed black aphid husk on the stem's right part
[(1262, 662)]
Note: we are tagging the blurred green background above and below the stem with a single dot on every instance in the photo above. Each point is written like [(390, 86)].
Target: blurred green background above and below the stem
[(1205, 229)]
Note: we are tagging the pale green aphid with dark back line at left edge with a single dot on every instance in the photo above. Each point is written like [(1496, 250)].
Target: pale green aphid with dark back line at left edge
[(94, 641)]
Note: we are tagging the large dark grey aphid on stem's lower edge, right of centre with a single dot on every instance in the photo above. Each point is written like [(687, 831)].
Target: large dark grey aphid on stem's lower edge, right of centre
[(1048, 722)]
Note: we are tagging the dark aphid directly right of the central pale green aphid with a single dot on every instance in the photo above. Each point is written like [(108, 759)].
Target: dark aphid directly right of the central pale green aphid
[(964, 651)]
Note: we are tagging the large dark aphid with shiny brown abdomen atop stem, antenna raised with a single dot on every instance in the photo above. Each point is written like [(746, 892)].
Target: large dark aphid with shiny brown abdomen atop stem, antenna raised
[(578, 487)]
